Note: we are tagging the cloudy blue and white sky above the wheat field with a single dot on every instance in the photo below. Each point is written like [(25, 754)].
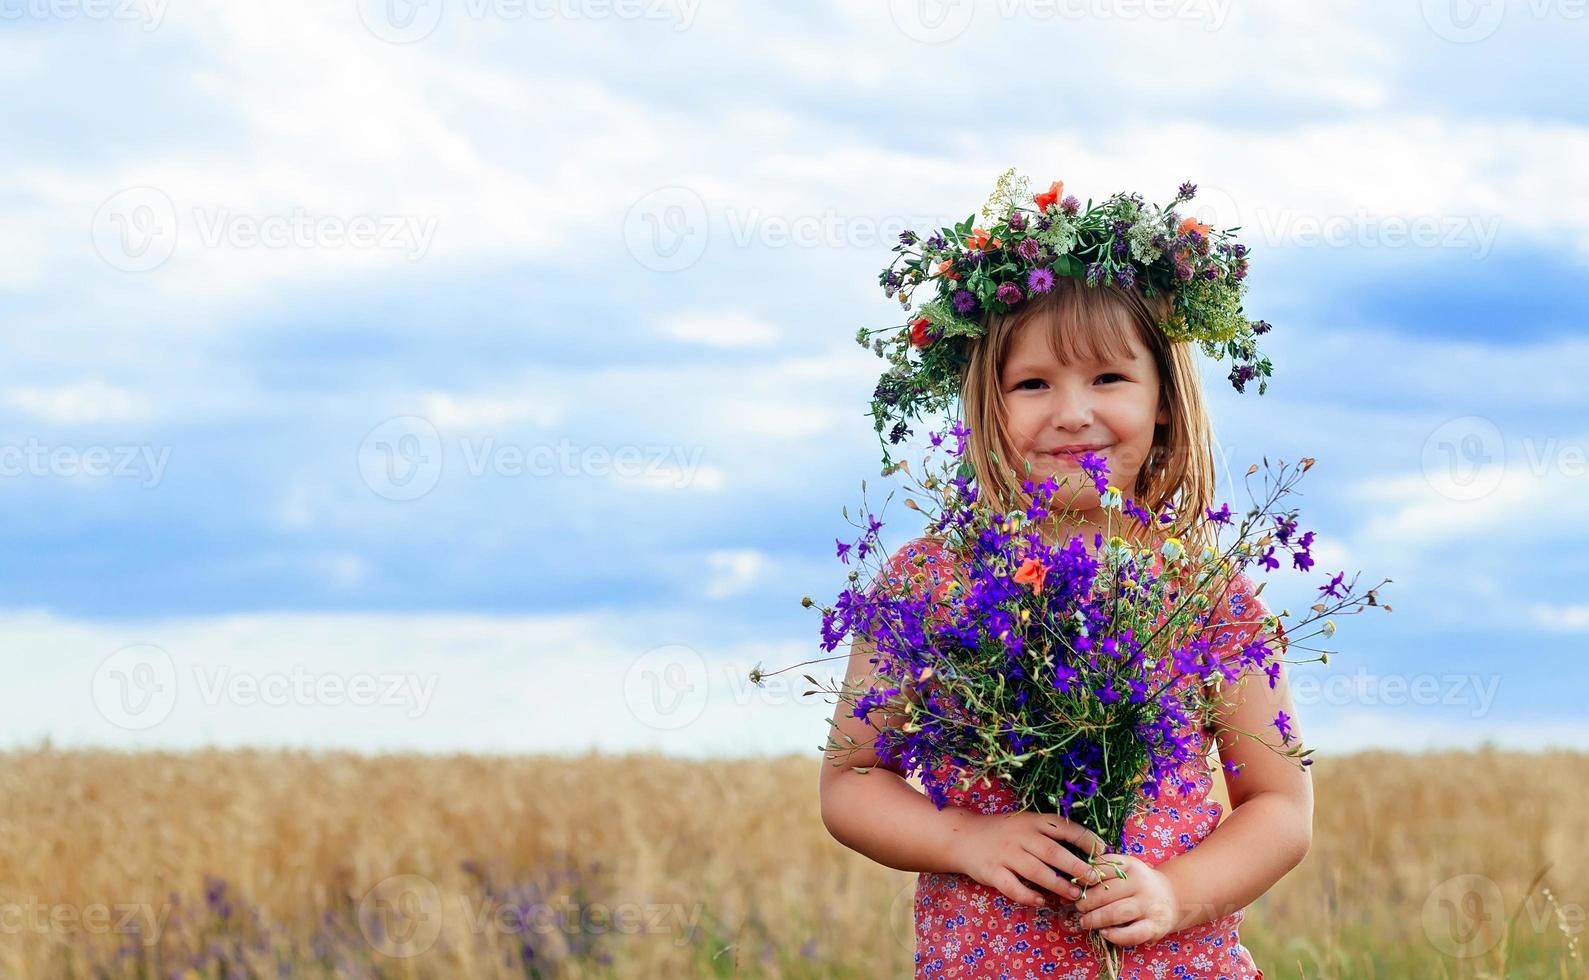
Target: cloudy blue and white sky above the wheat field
[(541, 411)]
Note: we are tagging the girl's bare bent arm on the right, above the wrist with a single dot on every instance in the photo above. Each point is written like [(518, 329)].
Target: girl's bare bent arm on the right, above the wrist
[(1270, 827)]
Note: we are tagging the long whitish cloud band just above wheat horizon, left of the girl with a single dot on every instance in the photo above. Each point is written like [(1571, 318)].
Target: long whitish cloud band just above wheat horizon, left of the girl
[(382, 682)]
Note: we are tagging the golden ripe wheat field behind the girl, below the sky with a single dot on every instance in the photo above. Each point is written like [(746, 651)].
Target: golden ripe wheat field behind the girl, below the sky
[(253, 863)]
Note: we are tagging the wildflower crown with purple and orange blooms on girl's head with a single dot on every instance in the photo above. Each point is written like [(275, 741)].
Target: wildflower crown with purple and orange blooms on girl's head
[(1024, 244)]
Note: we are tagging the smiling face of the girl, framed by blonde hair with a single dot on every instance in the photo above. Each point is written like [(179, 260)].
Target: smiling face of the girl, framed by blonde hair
[(1104, 406)]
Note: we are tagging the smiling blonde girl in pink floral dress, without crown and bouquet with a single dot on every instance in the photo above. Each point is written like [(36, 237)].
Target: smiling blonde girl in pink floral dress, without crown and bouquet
[(1084, 369)]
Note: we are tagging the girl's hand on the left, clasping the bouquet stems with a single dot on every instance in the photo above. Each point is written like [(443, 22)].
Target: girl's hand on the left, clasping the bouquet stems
[(1018, 852)]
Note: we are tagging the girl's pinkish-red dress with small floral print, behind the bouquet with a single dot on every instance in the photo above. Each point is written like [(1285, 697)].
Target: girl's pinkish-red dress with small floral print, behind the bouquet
[(970, 930)]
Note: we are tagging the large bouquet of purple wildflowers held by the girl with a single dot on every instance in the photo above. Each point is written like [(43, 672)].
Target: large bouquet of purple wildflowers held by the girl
[(1070, 674)]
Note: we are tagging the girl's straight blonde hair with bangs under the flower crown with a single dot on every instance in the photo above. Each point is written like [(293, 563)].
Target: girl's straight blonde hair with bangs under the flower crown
[(1096, 323)]
